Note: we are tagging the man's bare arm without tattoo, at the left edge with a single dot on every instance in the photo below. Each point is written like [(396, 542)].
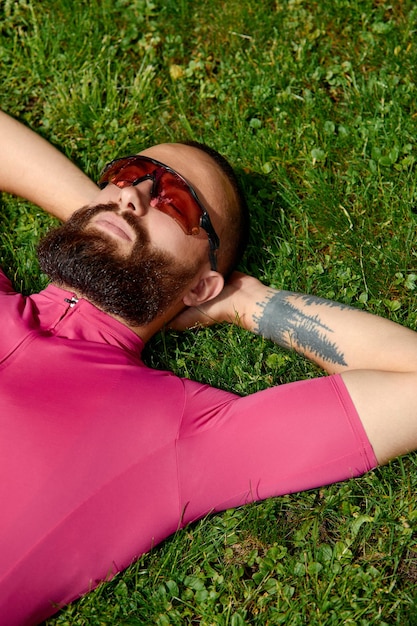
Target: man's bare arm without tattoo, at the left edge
[(32, 168)]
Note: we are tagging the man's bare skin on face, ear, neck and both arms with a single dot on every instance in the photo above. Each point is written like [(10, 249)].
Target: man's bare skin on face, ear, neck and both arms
[(376, 357)]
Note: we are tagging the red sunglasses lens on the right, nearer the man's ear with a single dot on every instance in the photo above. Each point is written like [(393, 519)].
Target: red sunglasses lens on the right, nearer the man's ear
[(172, 196)]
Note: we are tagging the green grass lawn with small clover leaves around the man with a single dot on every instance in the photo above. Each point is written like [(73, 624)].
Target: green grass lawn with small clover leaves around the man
[(315, 104)]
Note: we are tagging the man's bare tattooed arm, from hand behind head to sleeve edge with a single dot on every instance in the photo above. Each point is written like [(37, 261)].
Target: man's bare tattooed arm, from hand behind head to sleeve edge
[(377, 358)]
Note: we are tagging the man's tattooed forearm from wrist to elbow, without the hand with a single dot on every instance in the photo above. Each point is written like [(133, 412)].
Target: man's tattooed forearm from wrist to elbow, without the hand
[(335, 336)]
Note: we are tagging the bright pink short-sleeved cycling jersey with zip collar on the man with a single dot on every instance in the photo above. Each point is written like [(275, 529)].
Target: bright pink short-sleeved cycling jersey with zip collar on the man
[(102, 457)]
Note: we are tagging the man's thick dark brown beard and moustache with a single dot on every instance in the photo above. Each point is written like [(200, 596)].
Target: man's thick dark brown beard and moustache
[(138, 287)]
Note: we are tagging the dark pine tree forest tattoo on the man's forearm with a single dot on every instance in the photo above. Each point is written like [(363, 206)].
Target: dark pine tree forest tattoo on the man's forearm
[(288, 325)]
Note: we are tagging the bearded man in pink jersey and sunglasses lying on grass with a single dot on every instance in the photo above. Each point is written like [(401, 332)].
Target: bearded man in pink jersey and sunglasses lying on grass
[(102, 457)]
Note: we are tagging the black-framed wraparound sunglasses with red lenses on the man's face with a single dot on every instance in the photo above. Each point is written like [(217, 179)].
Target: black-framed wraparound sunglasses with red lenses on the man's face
[(170, 194)]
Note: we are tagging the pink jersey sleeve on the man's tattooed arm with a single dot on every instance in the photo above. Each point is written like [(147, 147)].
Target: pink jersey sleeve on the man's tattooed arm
[(293, 437)]
